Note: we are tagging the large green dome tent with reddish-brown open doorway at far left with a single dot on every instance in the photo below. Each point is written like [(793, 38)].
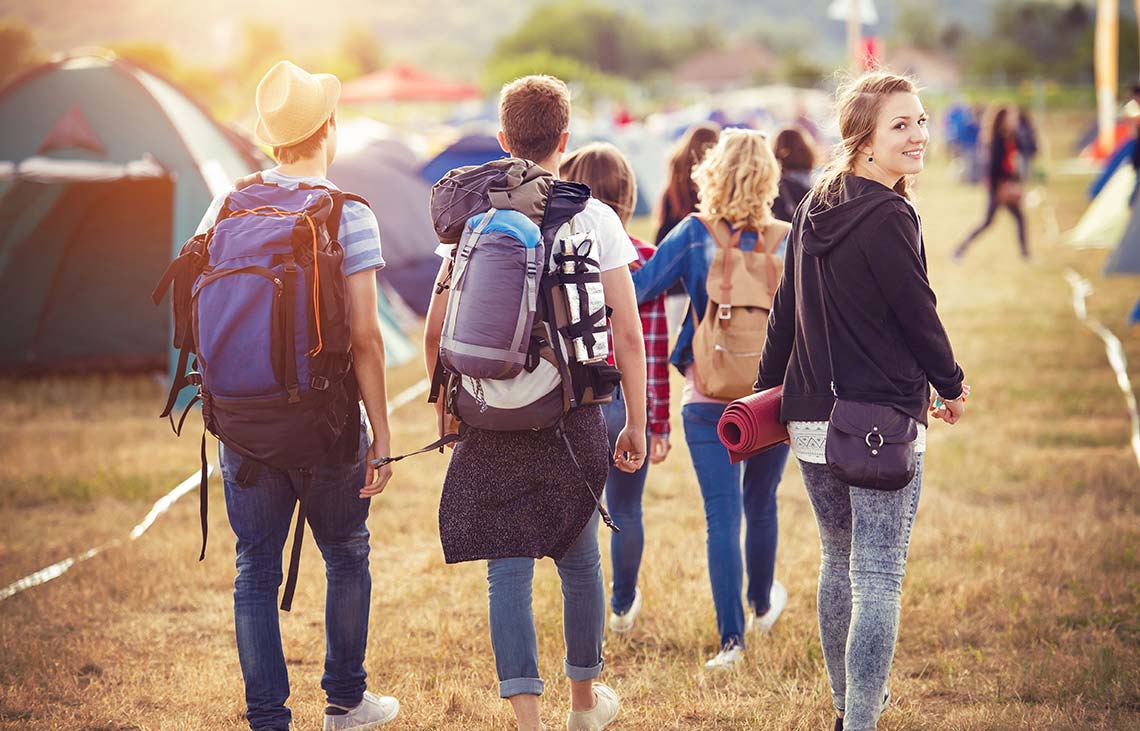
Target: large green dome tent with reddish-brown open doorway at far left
[(105, 172)]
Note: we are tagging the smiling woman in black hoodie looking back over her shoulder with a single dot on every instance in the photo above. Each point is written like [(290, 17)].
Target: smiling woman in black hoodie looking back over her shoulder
[(857, 277)]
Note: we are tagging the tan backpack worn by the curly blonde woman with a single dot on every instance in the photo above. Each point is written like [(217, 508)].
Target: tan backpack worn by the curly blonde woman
[(730, 338)]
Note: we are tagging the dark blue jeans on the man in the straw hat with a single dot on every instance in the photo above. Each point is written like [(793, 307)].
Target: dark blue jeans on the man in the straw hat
[(260, 516)]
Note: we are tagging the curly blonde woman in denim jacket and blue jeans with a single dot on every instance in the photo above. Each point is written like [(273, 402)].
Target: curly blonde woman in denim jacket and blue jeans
[(737, 183)]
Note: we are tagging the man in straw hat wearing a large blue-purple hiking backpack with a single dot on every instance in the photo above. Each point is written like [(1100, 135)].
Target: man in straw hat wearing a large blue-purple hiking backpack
[(276, 298)]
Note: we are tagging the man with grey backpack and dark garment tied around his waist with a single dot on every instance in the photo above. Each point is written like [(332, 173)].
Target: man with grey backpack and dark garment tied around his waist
[(516, 342)]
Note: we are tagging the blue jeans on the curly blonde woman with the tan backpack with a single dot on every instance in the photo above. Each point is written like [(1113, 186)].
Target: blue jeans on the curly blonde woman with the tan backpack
[(728, 492)]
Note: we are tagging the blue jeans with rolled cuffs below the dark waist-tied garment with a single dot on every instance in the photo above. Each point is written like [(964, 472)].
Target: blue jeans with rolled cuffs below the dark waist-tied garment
[(512, 620)]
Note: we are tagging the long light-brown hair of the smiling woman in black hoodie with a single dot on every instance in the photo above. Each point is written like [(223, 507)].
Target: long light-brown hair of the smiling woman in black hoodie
[(860, 102)]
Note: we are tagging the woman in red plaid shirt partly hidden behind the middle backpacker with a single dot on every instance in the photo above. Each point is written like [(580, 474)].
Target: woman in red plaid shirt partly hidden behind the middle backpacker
[(612, 181)]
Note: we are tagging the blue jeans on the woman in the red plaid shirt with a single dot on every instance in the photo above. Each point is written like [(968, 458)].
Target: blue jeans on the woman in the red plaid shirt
[(623, 499)]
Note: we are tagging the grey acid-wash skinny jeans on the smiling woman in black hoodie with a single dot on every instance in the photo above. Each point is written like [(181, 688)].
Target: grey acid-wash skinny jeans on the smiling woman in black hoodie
[(865, 538)]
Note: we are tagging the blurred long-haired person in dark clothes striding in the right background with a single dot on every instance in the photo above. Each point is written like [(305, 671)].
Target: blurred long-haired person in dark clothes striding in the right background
[(1004, 176)]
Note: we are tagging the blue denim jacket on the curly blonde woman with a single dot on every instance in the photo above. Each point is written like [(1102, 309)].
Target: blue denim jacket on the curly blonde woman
[(686, 255)]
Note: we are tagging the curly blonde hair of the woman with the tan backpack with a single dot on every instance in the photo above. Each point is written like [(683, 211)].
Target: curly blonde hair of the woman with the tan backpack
[(738, 181)]
